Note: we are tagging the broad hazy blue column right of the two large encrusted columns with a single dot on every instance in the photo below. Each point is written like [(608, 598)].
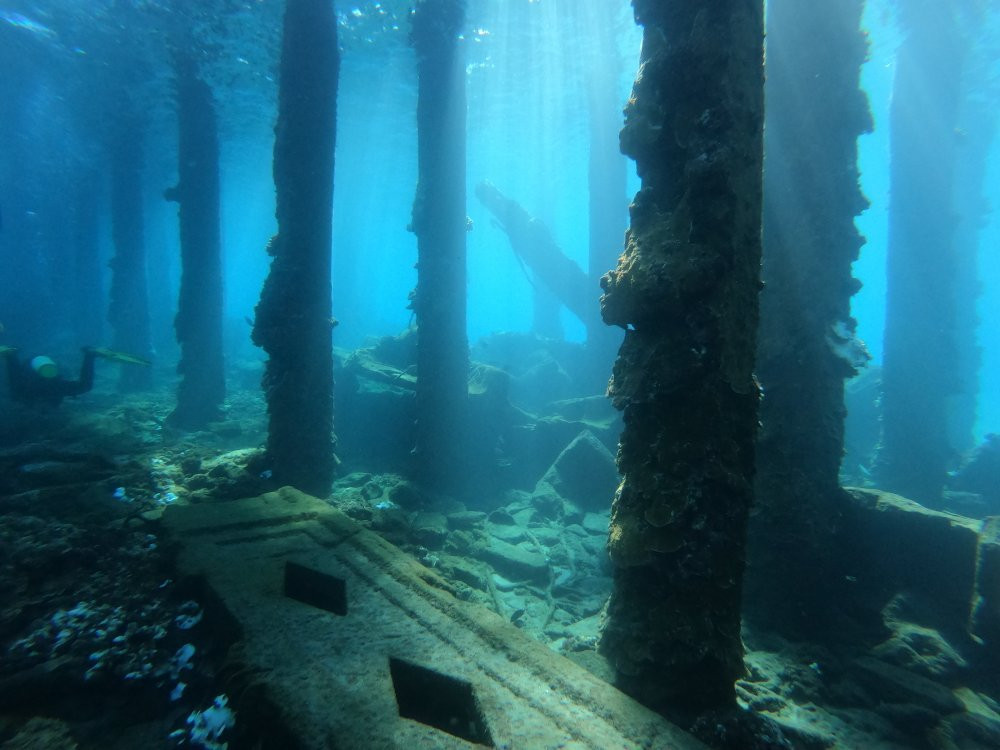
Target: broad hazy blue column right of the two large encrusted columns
[(919, 373)]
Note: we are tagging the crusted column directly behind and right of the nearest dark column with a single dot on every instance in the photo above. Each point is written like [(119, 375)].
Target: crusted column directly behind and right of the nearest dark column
[(815, 113)]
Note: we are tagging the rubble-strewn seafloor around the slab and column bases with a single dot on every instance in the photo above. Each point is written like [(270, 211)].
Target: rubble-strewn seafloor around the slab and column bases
[(104, 646)]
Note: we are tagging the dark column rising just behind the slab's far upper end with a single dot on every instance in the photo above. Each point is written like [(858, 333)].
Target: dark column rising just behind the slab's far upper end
[(293, 318)]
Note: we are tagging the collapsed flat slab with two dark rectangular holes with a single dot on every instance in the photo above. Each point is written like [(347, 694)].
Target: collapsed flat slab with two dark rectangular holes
[(347, 642)]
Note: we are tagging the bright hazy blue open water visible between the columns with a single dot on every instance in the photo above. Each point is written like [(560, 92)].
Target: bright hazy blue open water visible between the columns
[(527, 134)]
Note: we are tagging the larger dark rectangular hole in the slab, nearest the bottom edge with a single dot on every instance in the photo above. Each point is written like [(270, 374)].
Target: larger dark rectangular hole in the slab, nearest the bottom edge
[(438, 700)]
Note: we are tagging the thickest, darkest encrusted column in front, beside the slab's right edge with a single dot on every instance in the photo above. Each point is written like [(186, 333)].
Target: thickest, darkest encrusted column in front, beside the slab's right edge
[(686, 290)]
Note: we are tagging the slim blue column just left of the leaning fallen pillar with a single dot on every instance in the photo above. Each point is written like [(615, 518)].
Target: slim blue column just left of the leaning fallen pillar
[(439, 221)]
